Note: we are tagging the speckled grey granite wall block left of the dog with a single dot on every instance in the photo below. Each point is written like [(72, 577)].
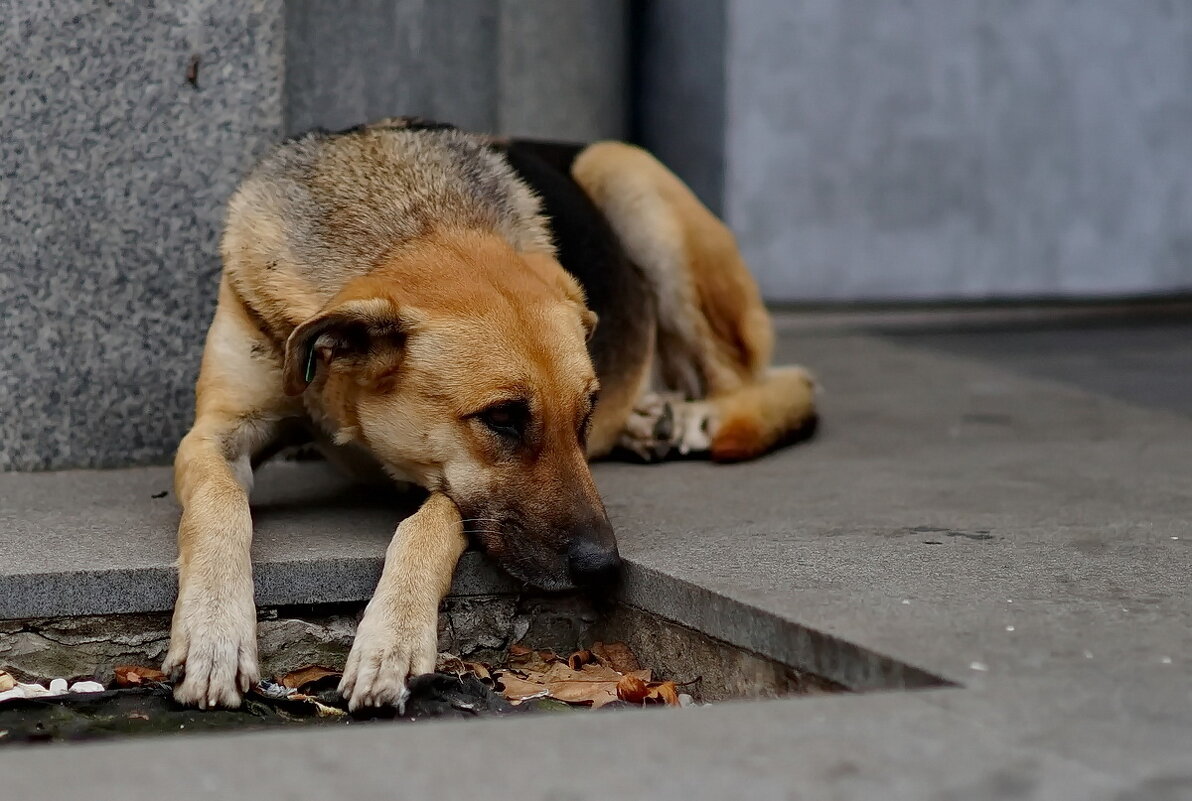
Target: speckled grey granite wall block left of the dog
[(115, 172)]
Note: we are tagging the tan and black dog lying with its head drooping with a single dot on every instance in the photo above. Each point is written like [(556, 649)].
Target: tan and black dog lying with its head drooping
[(424, 302)]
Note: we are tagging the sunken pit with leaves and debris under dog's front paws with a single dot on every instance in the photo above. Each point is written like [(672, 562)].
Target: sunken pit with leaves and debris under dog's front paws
[(501, 656)]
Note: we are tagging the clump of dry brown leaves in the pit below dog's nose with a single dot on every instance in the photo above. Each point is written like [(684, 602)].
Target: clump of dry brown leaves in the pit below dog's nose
[(597, 678)]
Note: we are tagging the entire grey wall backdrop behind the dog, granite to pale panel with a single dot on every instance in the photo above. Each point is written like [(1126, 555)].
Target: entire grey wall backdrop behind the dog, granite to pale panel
[(865, 151)]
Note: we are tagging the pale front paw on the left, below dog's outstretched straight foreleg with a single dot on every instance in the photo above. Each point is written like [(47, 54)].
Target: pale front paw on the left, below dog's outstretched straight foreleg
[(213, 650)]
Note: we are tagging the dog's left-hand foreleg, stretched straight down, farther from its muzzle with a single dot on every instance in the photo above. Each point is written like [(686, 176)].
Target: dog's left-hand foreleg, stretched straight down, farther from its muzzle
[(213, 642)]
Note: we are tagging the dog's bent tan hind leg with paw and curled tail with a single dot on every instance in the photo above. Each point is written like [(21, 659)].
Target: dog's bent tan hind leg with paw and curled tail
[(715, 336)]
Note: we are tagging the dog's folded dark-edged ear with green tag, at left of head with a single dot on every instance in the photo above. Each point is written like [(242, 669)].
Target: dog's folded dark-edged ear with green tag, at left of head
[(356, 334)]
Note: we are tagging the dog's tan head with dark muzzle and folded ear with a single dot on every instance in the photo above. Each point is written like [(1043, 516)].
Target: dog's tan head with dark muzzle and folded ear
[(463, 365)]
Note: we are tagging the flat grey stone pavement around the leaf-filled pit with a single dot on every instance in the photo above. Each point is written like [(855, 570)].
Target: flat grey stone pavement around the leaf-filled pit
[(1025, 537)]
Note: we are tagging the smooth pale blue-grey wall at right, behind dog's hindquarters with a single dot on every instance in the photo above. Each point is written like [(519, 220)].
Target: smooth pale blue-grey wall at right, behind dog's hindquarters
[(951, 148)]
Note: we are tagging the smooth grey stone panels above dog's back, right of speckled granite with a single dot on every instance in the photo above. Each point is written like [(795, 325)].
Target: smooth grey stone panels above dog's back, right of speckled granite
[(529, 67)]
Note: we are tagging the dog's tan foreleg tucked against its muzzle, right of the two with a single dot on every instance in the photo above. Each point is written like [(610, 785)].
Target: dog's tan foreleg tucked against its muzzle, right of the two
[(399, 636)]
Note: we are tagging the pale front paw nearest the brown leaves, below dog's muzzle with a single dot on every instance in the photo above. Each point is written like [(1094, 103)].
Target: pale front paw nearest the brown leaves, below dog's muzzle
[(392, 645)]
